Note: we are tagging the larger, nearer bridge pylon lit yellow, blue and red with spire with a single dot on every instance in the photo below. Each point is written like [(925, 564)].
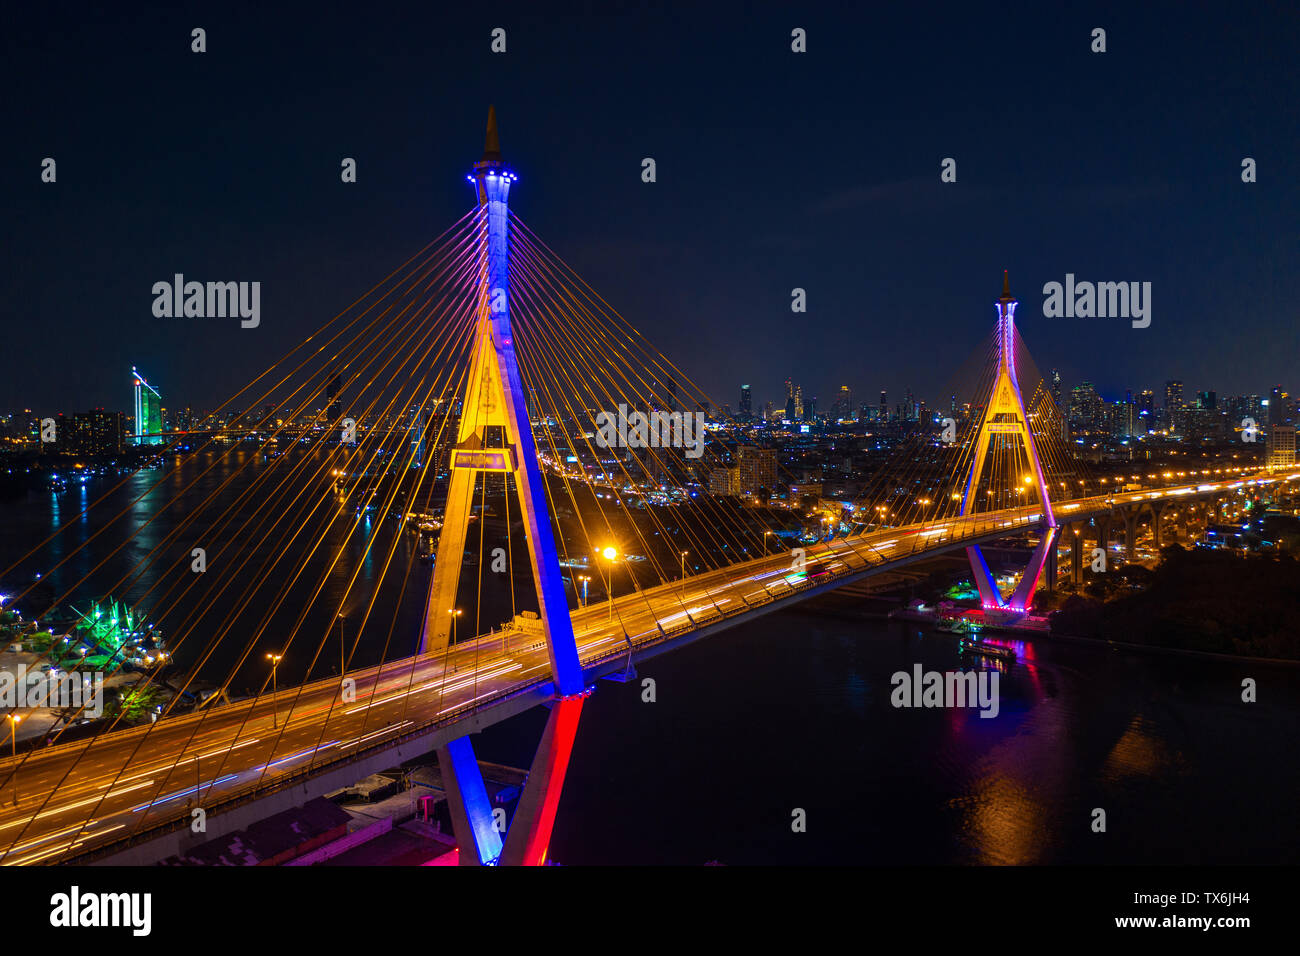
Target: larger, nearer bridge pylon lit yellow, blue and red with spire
[(496, 436)]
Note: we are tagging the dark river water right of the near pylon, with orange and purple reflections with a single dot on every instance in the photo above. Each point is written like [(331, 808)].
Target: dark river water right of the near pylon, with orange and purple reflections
[(794, 711)]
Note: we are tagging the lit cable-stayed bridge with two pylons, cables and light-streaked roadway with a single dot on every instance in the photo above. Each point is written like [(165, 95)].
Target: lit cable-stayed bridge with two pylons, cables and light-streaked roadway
[(486, 371)]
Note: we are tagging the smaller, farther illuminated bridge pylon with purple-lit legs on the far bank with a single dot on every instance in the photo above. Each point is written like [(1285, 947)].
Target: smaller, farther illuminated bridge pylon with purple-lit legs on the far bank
[(1006, 416)]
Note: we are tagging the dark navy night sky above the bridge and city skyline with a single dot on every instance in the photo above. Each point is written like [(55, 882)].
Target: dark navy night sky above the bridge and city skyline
[(775, 171)]
